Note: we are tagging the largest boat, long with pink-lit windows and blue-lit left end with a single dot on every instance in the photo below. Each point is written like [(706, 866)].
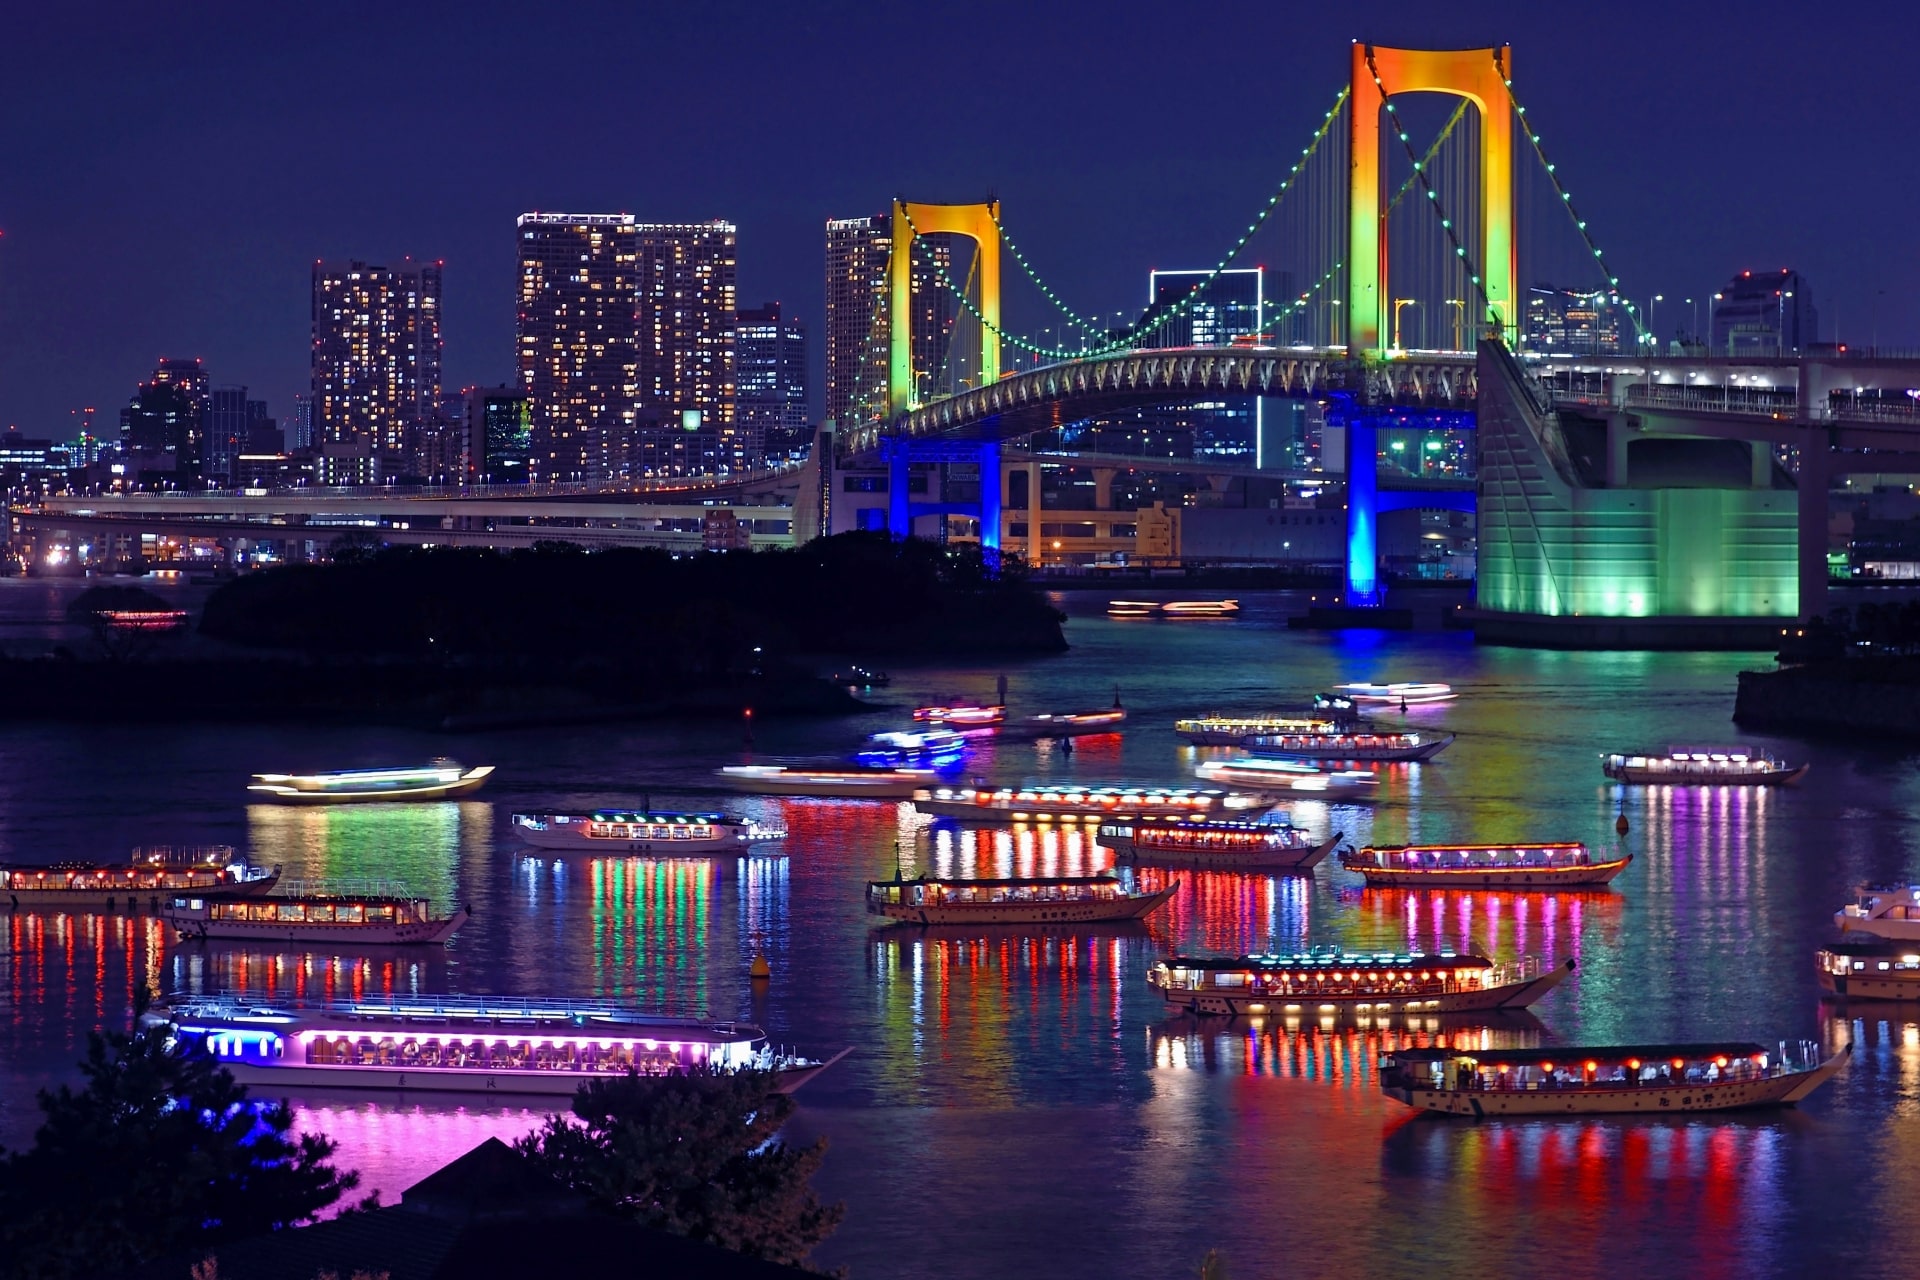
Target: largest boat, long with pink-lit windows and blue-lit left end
[(466, 1045)]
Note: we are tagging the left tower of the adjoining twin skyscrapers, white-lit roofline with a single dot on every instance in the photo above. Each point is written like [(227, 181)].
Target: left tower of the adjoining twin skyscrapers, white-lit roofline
[(579, 341)]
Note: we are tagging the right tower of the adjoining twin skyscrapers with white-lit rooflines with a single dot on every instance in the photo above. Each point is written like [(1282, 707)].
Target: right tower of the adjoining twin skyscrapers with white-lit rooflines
[(686, 350)]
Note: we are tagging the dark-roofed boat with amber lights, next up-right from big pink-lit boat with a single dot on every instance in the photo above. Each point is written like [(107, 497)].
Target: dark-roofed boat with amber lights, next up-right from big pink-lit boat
[(1068, 901)]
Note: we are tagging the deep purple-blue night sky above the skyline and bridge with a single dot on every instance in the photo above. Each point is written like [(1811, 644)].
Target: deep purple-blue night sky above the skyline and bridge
[(168, 174)]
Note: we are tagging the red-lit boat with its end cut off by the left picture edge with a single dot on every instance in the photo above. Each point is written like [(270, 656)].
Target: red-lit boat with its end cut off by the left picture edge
[(149, 878)]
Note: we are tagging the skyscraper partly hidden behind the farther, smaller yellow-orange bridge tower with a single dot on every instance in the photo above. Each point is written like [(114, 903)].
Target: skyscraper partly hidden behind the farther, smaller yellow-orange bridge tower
[(857, 321)]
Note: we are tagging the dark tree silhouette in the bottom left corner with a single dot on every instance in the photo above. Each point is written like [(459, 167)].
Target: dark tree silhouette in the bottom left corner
[(158, 1152)]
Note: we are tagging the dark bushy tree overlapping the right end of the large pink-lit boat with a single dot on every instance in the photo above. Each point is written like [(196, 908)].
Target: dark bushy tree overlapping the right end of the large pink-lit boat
[(696, 1156)]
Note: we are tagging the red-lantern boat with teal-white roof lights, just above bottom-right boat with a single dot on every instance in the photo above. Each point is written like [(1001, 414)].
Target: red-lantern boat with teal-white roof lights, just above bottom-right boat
[(1332, 980)]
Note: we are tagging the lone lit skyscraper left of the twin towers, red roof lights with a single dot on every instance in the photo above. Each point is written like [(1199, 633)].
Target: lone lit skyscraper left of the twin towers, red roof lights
[(375, 354)]
